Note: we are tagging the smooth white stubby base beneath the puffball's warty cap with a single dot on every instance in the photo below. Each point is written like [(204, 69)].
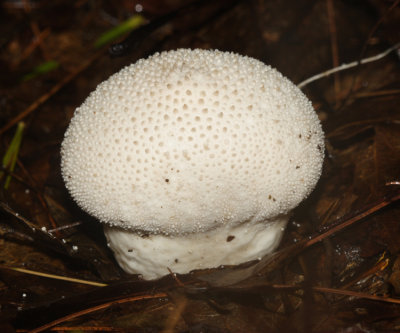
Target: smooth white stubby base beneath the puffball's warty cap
[(151, 256)]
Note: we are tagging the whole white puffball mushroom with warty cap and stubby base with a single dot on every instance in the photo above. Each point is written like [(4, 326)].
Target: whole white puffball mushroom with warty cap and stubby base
[(192, 159)]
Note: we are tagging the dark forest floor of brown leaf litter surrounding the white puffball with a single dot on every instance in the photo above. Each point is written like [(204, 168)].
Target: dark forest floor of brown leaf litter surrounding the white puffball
[(338, 266)]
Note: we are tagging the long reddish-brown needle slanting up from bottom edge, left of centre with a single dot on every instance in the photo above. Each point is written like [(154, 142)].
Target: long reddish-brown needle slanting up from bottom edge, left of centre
[(96, 308)]
